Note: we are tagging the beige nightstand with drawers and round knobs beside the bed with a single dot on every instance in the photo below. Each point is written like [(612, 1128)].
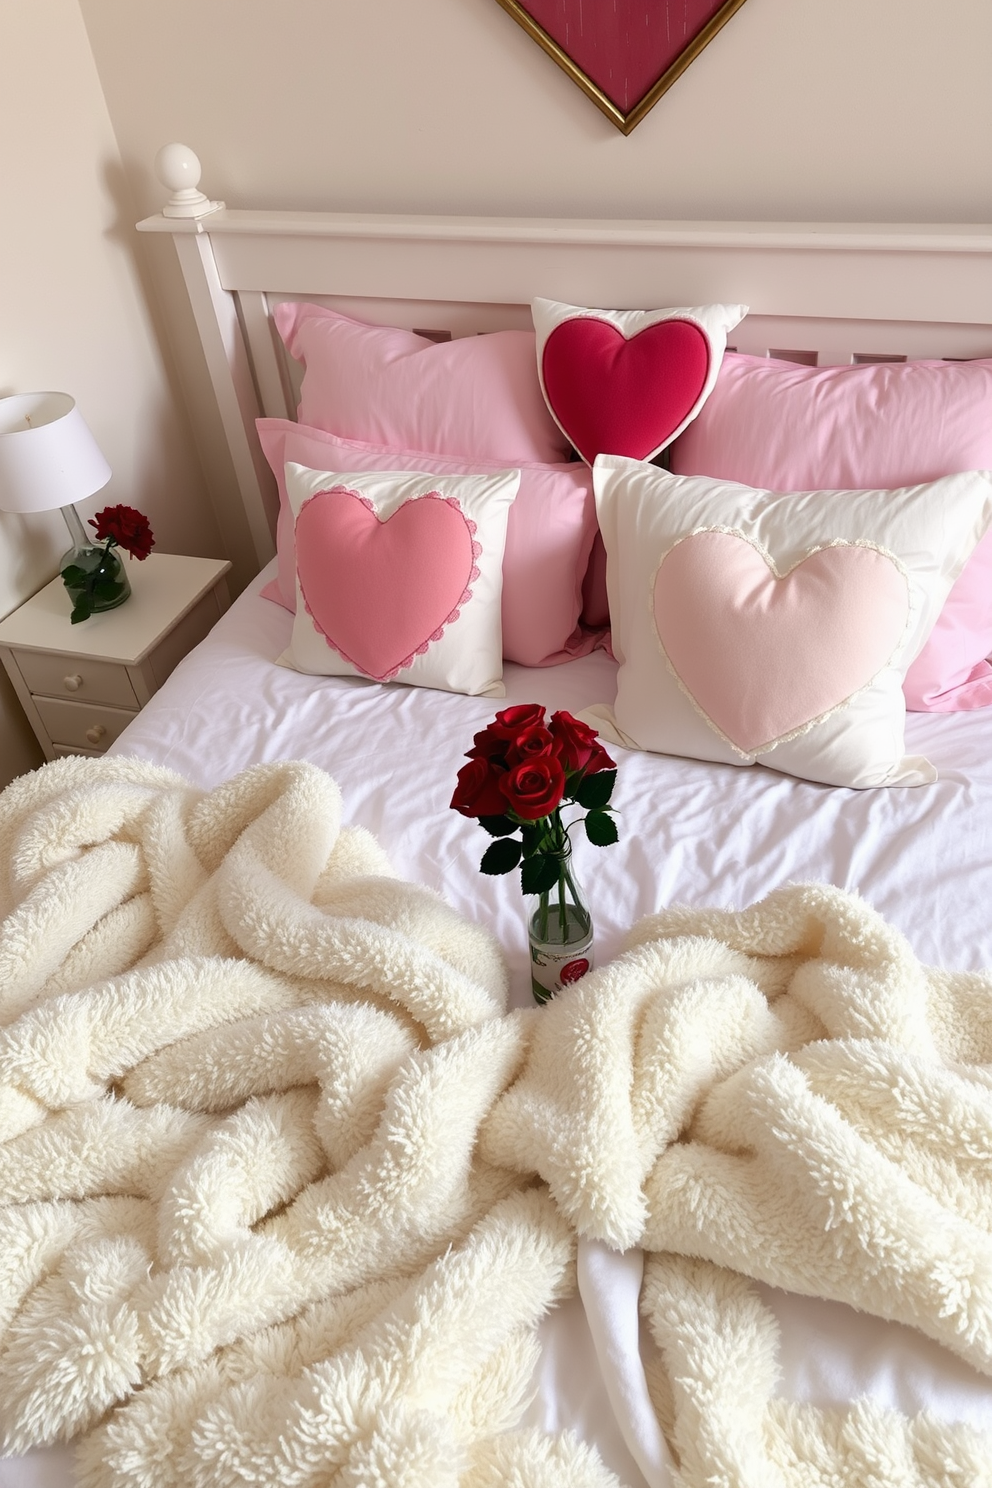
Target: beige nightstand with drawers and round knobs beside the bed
[(81, 685)]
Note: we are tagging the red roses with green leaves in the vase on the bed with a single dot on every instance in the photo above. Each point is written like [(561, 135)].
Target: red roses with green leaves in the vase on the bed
[(521, 772)]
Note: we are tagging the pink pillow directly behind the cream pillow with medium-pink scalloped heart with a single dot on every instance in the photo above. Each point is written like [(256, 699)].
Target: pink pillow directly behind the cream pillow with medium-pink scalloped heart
[(550, 533)]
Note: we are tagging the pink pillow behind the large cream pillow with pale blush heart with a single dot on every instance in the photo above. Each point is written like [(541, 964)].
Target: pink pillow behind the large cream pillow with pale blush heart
[(792, 428)]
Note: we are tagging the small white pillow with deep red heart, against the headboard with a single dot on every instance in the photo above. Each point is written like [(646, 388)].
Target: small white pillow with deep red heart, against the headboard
[(628, 382)]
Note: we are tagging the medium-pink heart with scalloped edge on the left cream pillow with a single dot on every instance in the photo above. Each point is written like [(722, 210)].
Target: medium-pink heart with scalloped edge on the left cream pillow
[(383, 591)]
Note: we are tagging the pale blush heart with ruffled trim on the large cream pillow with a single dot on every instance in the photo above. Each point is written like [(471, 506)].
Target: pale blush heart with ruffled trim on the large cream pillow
[(765, 657)]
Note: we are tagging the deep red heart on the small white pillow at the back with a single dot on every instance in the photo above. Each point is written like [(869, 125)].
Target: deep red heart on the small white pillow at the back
[(613, 397)]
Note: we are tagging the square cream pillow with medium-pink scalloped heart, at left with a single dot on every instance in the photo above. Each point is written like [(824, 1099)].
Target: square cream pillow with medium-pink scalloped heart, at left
[(399, 577)]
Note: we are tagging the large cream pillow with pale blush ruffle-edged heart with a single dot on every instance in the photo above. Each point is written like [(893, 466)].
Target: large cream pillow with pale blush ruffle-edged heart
[(777, 629)]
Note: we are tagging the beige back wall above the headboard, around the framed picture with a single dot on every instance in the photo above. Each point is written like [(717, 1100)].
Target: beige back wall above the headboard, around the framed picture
[(838, 109)]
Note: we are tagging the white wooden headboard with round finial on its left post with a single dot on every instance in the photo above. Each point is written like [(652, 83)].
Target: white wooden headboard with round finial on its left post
[(822, 292)]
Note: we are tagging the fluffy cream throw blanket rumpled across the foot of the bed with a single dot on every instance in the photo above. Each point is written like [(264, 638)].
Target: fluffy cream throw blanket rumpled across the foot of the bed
[(285, 1191)]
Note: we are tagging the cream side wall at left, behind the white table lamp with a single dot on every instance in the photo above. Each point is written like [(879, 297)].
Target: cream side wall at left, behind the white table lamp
[(74, 315)]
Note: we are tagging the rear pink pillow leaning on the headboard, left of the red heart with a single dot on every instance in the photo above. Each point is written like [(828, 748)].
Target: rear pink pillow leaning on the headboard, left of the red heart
[(472, 398)]
